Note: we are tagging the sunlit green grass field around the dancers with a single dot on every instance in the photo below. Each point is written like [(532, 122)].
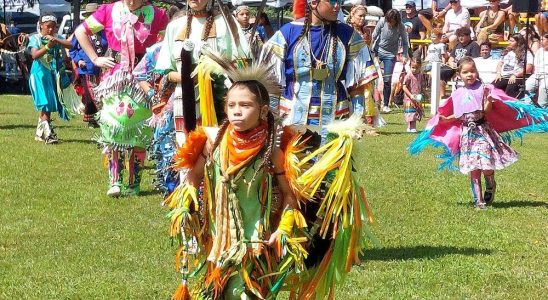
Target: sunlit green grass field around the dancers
[(61, 237)]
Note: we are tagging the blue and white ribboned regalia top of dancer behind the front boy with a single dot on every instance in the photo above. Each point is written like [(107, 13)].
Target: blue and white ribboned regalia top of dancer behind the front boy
[(318, 72)]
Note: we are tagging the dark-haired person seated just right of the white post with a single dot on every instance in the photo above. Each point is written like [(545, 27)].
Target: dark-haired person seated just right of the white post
[(465, 47)]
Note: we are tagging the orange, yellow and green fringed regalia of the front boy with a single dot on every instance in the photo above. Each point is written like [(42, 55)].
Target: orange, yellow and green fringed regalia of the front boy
[(223, 226)]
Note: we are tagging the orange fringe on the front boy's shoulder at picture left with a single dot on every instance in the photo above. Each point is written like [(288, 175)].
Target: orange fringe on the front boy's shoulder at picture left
[(188, 154)]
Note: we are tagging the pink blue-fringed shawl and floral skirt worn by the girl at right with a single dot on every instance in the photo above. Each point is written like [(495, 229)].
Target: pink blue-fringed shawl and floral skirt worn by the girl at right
[(508, 119)]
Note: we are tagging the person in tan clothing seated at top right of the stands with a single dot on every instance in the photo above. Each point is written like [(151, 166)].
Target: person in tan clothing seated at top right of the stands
[(491, 24)]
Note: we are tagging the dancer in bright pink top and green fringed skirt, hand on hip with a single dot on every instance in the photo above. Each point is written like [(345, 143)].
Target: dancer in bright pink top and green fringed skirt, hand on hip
[(130, 27)]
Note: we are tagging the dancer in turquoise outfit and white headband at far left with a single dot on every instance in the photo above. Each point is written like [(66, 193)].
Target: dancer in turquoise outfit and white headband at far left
[(47, 77)]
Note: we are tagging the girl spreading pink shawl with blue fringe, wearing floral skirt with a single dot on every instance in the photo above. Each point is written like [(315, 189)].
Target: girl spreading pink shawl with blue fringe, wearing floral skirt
[(468, 125)]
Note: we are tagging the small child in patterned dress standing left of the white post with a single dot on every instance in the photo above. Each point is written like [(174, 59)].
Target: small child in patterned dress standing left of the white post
[(412, 83)]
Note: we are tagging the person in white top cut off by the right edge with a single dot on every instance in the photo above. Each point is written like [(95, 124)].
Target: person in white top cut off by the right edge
[(538, 80)]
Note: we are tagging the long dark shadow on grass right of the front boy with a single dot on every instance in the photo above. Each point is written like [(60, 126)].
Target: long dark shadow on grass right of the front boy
[(420, 252)]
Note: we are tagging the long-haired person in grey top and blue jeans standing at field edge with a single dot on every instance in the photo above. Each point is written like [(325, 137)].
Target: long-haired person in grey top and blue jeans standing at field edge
[(387, 36)]
